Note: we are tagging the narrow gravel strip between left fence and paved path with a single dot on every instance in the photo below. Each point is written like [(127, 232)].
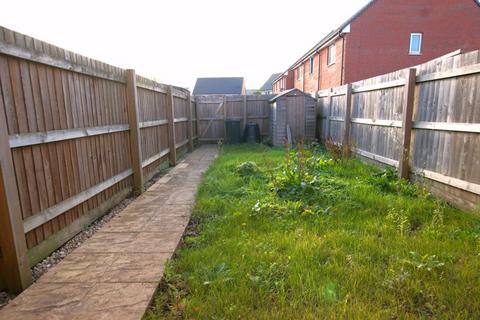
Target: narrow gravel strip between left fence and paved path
[(58, 255)]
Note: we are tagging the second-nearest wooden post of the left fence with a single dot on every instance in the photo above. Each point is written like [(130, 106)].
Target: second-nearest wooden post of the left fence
[(133, 120)]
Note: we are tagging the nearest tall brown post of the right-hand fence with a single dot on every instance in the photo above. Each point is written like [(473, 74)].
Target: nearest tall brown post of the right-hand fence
[(408, 100)]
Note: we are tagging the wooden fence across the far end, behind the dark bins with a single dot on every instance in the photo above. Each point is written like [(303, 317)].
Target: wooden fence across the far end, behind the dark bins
[(214, 109)]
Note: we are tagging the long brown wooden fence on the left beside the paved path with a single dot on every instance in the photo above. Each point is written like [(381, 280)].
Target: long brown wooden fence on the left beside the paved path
[(76, 137)]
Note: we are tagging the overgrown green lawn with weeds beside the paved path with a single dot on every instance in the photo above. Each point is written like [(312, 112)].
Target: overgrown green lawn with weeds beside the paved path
[(301, 236)]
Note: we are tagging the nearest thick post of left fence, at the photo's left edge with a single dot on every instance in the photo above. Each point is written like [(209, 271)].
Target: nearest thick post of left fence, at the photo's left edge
[(15, 272)]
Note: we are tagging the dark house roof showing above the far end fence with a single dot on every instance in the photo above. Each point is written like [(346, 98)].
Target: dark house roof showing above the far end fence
[(226, 85)]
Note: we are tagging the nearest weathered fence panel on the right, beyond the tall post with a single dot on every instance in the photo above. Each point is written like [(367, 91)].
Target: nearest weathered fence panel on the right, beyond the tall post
[(444, 155)]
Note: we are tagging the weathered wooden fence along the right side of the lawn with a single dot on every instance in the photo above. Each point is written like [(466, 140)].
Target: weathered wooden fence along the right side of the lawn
[(425, 121)]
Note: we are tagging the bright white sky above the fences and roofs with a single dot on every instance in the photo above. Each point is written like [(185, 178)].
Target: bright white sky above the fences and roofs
[(177, 41)]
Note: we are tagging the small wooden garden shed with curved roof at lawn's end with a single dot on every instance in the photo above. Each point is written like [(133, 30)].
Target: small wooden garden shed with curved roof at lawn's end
[(295, 110)]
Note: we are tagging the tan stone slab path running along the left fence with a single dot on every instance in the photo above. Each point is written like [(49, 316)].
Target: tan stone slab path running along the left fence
[(115, 273)]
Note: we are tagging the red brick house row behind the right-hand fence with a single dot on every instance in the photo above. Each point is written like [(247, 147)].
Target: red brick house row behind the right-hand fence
[(384, 36)]
